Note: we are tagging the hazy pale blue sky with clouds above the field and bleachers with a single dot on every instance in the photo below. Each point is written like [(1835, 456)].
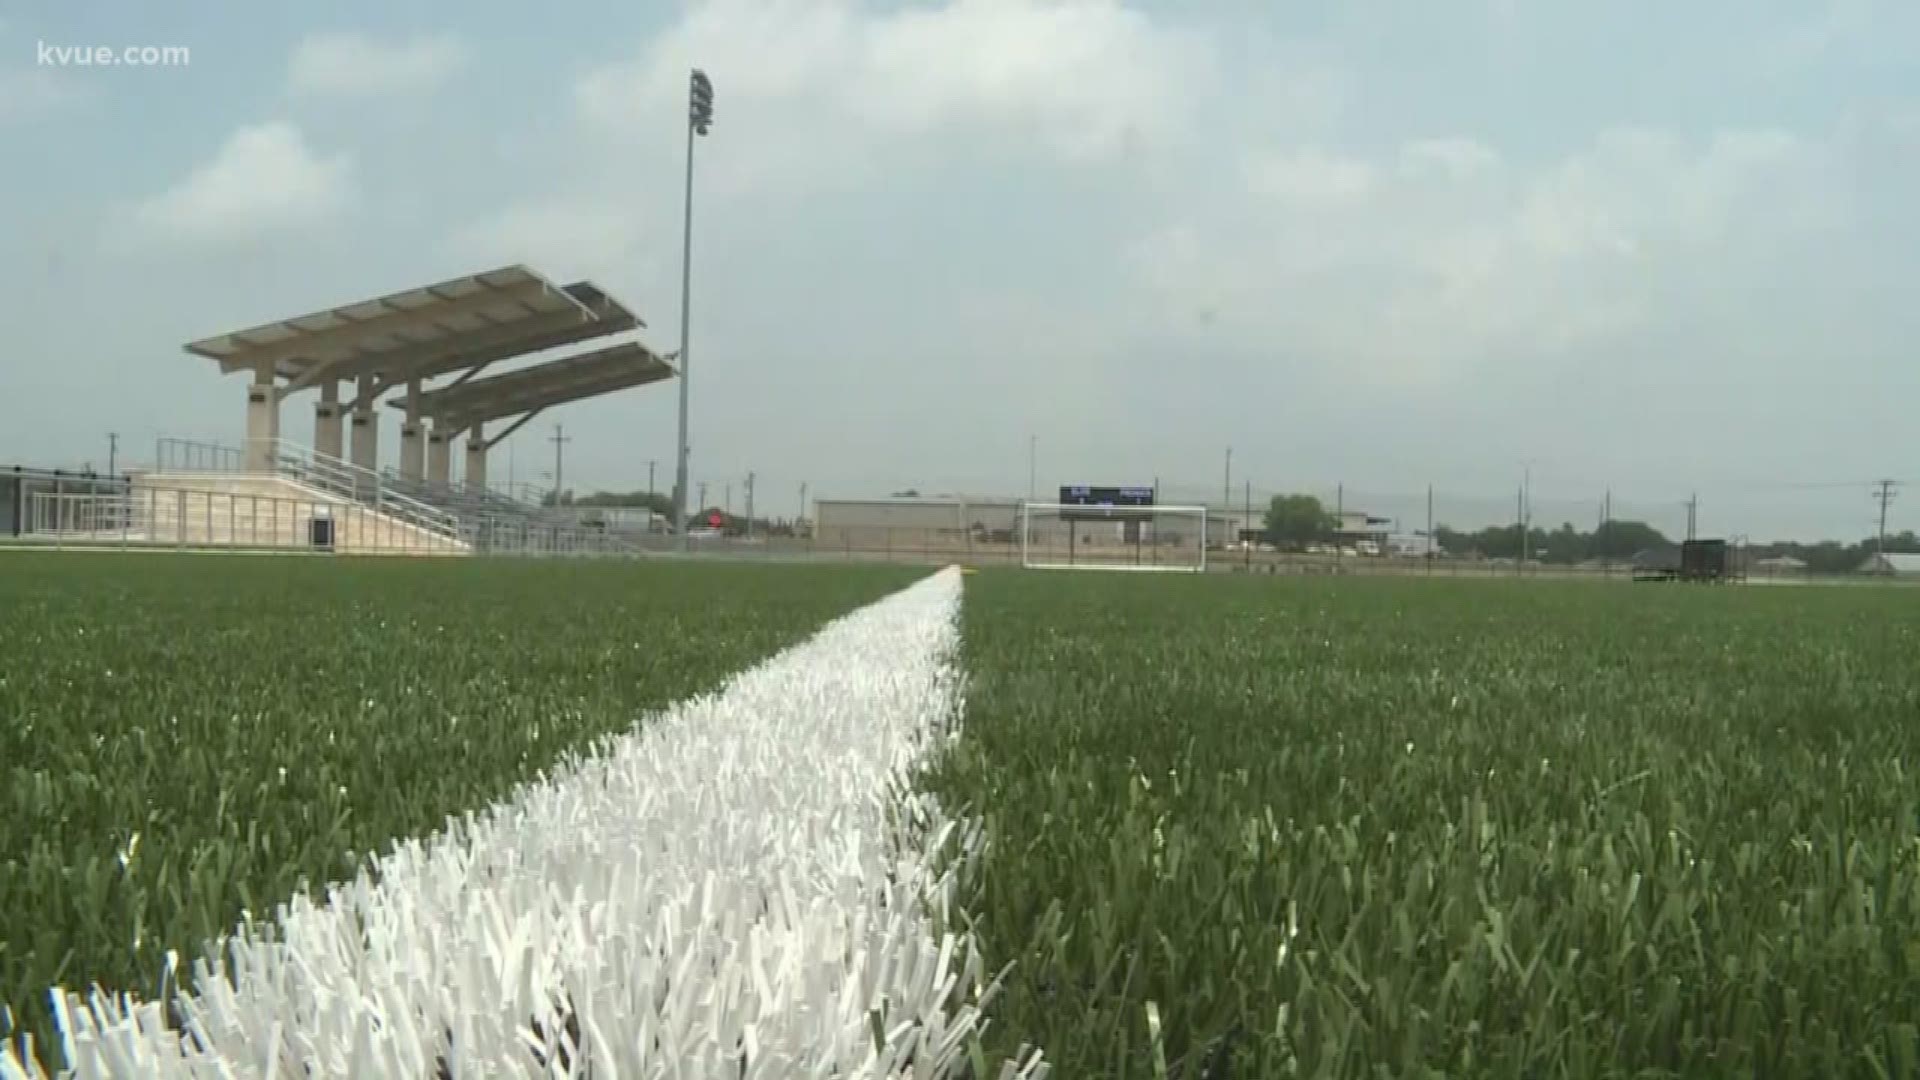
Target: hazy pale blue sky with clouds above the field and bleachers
[(1664, 251)]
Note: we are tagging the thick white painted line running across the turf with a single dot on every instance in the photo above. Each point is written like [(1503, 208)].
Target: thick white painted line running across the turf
[(734, 891)]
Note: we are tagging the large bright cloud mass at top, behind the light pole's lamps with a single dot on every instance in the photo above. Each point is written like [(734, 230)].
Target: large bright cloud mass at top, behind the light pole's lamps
[(828, 97)]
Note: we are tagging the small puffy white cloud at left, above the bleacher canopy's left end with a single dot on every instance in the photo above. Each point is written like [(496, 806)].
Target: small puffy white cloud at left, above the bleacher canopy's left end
[(264, 178)]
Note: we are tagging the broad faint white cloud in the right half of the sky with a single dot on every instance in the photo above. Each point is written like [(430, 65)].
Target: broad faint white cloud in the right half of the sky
[(1437, 260)]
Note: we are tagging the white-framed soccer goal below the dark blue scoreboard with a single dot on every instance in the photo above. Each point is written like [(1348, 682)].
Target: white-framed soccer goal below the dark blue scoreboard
[(1059, 537)]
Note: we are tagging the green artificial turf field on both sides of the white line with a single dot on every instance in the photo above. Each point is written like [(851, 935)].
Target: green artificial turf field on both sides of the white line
[(1236, 827)]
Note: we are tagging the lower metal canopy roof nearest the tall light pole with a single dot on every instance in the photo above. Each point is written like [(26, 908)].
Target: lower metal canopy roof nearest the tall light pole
[(529, 389)]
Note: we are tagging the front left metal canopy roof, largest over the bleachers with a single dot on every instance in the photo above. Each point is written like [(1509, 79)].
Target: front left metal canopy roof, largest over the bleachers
[(395, 326)]
